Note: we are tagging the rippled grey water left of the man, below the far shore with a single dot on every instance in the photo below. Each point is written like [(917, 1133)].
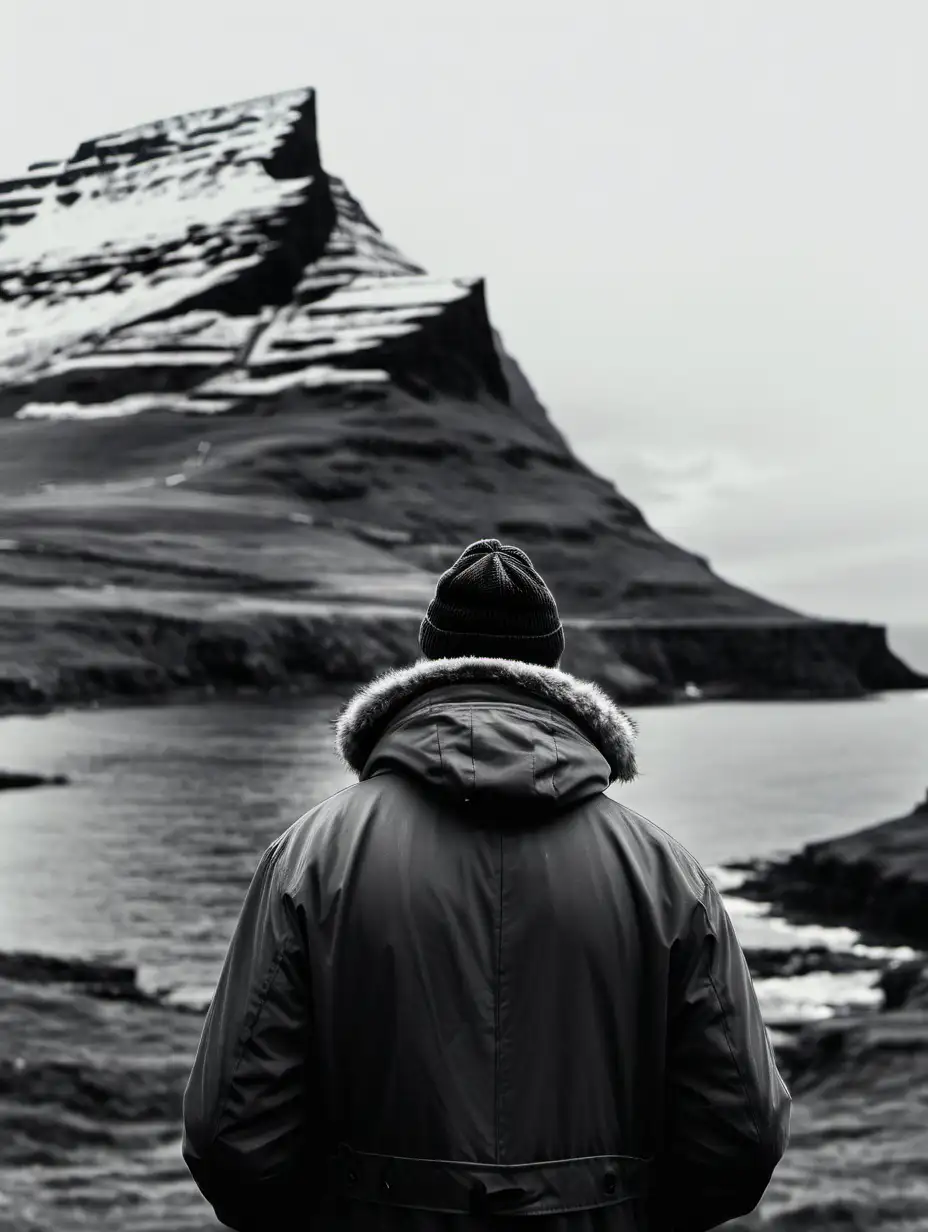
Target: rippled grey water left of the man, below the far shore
[(149, 853)]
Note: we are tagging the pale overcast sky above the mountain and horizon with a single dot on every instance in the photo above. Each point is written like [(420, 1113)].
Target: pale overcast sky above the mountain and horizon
[(702, 226)]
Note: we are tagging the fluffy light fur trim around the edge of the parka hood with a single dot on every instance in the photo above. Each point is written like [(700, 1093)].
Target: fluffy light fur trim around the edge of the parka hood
[(365, 718)]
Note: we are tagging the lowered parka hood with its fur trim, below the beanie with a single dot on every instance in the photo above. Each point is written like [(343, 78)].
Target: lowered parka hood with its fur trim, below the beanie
[(494, 731)]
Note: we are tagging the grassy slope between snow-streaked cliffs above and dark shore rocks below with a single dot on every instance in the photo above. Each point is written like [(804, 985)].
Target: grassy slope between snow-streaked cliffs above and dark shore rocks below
[(436, 474)]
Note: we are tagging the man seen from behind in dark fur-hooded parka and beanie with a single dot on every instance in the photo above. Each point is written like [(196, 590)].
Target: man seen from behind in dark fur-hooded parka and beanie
[(471, 986)]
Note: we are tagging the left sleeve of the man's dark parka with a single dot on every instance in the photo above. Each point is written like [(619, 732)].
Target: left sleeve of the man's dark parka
[(248, 1134)]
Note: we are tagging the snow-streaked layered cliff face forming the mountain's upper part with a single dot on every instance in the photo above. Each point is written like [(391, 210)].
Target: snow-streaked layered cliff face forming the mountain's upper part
[(206, 263)]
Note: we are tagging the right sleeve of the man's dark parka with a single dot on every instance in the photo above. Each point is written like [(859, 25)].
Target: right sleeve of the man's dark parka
[(729, 1111)]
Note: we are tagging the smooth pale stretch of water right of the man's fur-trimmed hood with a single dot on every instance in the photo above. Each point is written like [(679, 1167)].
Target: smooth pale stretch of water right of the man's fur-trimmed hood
[(735, 780)]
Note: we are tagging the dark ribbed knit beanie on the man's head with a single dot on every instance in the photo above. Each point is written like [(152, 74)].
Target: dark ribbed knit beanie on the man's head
[(492, 604)]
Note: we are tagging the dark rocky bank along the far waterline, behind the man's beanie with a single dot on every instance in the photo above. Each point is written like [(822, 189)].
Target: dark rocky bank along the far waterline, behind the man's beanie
[(152, 652)]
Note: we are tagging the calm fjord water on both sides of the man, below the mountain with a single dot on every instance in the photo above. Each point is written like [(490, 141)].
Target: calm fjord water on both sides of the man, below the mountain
[(147, 854)]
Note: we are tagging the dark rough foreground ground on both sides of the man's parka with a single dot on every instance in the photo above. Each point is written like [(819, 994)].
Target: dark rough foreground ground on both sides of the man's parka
[(860, 1084)]
